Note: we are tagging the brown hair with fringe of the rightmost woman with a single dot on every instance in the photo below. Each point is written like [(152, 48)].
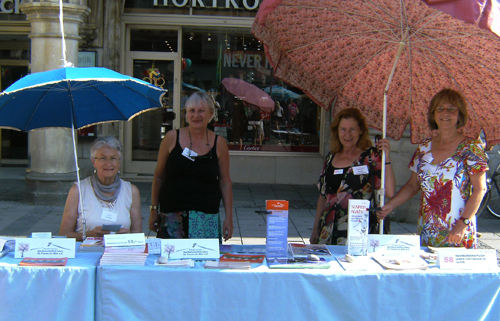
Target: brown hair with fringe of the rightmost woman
[(453, 97)]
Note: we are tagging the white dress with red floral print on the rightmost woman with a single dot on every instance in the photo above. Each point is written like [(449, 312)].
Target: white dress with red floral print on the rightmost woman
[(445, 190)]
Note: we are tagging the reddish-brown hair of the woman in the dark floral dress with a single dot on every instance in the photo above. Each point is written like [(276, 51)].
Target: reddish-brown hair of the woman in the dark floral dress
[(364, 140)]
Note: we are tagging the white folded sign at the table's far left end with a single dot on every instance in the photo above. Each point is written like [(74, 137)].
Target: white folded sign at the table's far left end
[(45, 248)]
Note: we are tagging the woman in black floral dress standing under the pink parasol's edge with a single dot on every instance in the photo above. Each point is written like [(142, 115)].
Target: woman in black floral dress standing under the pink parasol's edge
[(346, 175)]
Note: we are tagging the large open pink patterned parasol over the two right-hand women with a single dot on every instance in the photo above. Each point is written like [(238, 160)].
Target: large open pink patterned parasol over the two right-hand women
[(345, 54)]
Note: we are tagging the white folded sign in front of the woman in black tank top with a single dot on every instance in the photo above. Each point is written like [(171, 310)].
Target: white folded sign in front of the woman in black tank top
[(198, 249)]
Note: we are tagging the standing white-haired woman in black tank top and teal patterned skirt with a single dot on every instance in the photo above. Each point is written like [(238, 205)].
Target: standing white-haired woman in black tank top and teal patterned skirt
[(191, 178)]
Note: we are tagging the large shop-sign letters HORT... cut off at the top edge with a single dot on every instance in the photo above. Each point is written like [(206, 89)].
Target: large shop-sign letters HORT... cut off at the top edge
[(229, 4)]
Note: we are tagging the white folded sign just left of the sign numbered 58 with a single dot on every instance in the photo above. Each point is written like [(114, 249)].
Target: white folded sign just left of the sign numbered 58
[(393, 244)]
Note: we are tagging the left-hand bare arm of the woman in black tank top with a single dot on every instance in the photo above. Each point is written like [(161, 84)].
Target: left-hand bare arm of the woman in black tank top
[(167, 144)]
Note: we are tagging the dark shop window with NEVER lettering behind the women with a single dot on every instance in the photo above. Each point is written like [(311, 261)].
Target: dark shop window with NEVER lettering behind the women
[(211, 55)]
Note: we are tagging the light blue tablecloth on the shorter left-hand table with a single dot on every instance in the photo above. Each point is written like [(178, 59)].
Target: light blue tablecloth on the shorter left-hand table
[(48, 293)]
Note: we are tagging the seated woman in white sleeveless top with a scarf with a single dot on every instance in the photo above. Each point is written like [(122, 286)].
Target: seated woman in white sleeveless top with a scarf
[(107, 199)]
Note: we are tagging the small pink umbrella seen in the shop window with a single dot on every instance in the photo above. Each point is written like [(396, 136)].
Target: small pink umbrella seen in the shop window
[(249, 93)]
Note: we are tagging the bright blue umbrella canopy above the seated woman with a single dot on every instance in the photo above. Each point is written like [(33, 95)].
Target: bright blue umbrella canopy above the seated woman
[(75, 98)]
